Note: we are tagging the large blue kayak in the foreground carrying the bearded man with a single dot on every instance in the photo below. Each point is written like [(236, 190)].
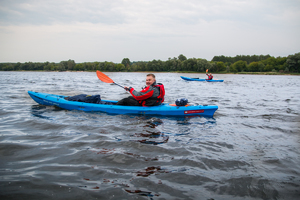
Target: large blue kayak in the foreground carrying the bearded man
[(109, 106)]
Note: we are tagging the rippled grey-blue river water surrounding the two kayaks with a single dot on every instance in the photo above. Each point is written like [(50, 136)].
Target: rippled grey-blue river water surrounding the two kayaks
[(250, 149)]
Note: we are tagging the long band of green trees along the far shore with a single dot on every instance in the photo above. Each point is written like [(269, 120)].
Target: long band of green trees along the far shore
[(239, 63)]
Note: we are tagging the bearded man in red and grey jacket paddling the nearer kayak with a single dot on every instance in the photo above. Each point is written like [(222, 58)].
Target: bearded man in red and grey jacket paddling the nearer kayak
[(152, 95)]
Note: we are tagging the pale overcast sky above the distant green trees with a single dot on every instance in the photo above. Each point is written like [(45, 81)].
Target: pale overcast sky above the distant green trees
[(144, 30)]
